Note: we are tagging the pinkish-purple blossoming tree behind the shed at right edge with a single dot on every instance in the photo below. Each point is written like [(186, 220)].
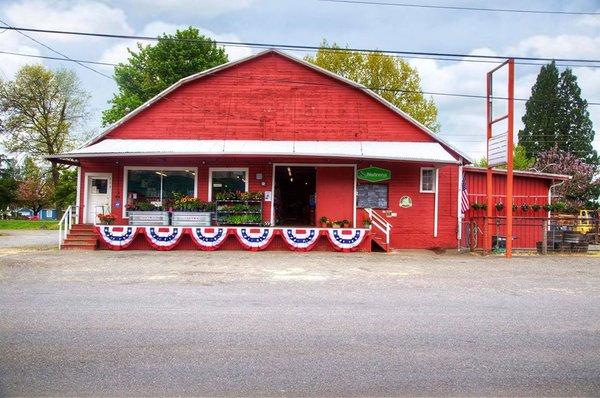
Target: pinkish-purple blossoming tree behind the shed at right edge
[(583, 188)]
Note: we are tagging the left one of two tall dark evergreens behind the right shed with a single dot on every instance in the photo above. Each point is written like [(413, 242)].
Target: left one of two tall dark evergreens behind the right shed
[(541, 113)]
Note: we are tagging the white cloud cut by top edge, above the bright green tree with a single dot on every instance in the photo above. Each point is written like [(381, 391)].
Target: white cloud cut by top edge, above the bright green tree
[(186, 8)]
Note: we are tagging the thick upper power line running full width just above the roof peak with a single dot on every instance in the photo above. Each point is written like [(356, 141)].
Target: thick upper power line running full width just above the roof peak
[(304, 47)]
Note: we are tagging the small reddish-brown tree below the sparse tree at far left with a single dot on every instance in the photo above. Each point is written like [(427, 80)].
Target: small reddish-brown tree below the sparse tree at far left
[(34, 191)]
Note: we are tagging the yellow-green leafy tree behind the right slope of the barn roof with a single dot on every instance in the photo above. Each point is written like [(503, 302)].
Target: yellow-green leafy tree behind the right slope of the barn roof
[(399, 82)]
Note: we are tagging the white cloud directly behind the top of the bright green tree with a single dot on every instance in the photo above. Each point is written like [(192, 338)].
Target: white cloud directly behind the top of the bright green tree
[(118, 53)]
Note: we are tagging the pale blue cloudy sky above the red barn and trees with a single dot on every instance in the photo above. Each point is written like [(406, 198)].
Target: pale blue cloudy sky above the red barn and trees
[(307, 22)]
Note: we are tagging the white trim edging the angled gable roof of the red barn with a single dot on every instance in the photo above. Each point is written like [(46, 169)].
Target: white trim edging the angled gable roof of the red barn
[(290, 57)]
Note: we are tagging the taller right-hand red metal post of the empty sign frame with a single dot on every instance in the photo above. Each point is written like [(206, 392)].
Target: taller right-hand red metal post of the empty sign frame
[(509, 169)]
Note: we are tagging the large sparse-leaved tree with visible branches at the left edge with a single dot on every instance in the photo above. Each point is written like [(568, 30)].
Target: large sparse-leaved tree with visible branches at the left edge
[(39, 111)]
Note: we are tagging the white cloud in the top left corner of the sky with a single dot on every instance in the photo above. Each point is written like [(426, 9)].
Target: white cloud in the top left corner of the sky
[(87, 16)]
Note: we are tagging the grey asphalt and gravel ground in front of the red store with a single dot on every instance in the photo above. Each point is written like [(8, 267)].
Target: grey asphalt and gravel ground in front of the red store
[(284, 324)]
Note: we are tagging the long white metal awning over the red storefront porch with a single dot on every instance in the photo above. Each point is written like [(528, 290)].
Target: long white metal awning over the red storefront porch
[(431, 152)]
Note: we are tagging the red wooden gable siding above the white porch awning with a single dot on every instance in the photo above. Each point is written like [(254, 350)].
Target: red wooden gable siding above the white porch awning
[(269, 98)]
